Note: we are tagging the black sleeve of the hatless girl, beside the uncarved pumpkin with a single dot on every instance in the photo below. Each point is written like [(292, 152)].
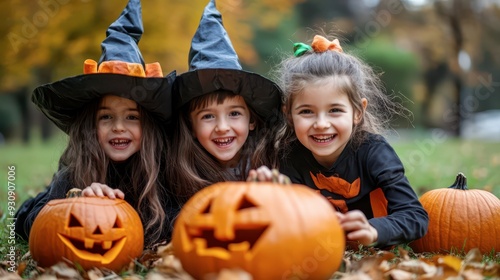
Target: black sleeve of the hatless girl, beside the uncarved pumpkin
[(407, 220)]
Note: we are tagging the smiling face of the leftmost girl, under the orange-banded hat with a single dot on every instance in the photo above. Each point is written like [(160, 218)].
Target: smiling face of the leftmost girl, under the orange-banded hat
[(119, 128)]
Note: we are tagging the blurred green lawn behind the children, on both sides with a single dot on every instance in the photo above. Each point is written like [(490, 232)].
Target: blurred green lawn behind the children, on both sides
[(431, 162)]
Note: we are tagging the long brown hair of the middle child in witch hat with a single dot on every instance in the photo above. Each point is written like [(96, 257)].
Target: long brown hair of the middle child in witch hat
[(193, 168)]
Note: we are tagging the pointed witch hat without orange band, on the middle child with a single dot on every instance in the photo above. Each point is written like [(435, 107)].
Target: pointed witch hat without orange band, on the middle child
[(213, 66)]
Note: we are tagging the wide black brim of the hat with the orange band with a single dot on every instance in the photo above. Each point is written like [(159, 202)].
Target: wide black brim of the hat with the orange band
[(62, 100)]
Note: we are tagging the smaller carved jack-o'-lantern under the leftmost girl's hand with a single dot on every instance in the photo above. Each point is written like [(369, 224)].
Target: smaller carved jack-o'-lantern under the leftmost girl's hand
[(89, 231)]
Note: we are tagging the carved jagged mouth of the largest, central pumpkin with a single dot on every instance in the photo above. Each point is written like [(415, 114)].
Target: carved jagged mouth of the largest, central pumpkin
[(244, 239)]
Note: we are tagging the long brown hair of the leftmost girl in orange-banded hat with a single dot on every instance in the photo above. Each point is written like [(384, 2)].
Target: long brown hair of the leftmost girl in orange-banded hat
[(86, 162)]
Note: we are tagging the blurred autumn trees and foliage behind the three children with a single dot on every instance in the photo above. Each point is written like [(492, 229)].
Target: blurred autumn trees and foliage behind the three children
[(440, 57)]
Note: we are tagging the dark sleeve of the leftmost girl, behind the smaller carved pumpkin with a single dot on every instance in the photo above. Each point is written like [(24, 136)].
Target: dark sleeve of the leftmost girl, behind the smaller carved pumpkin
[(30, 208)]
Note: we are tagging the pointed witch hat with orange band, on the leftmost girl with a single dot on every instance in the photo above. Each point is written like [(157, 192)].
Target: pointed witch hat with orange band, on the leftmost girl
[(121, 71)]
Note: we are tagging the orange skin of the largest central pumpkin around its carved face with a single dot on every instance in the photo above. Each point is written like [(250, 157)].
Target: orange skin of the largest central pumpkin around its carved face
[(282, 246)]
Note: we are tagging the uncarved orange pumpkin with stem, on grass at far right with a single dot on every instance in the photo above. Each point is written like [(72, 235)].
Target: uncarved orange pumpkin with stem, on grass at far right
[(460, 218)]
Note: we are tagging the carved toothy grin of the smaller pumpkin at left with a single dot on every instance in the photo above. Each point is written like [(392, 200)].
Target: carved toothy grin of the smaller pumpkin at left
[(94, 250)]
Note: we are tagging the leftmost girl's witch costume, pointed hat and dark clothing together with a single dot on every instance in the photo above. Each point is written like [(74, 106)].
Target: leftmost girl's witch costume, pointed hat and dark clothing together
[(121, 71)]
